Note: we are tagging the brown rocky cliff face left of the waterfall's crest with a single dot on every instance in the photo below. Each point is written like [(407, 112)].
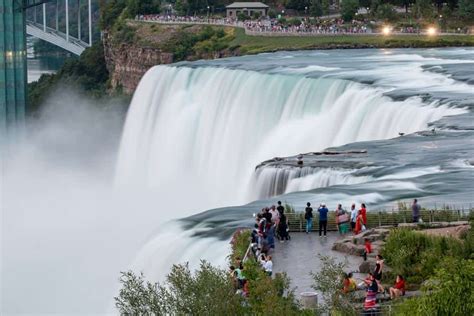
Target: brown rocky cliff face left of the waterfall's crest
[(127, 63)]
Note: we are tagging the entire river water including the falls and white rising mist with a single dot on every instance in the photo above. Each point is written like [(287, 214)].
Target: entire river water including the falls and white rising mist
[(174, 182)]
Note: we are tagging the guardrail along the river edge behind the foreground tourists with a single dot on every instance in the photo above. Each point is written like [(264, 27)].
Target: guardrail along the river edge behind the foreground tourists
[(297, 222)]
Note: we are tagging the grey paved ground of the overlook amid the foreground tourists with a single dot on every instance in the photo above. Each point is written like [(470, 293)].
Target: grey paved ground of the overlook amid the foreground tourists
[(299, 256)]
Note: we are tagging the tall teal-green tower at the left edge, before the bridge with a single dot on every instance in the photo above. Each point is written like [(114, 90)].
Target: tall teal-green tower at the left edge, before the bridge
[(13, 66)]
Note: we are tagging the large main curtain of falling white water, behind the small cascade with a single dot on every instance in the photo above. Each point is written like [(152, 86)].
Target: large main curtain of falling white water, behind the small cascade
[(199, 132)]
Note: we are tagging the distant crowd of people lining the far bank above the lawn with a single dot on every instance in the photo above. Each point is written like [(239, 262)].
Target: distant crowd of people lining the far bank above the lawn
[(335, 26)]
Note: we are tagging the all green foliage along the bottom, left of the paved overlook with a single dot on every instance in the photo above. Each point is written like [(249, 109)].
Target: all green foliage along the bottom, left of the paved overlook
[(207, 291)]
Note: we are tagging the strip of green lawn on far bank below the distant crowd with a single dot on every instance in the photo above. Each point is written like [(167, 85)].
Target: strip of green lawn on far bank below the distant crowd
[(260, 44)]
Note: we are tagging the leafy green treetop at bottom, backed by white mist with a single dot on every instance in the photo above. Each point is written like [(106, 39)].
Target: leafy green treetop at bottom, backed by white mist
[(208, 291)]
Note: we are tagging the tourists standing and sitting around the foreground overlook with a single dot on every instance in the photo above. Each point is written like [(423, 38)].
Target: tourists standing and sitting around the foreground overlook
[(272, 223)]
